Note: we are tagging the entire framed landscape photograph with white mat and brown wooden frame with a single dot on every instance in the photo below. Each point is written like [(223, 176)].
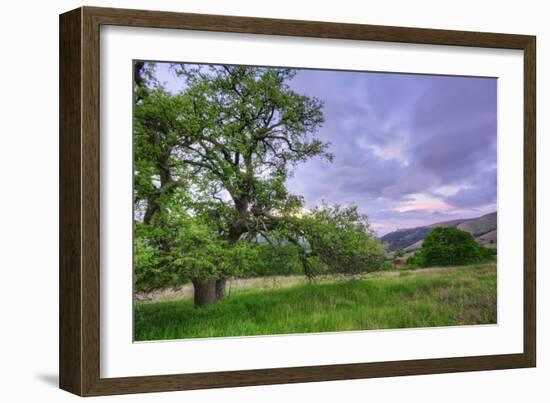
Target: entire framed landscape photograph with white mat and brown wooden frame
[(249, 201)]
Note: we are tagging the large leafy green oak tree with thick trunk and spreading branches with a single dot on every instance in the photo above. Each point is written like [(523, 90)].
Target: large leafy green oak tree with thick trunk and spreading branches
[(211, 162)]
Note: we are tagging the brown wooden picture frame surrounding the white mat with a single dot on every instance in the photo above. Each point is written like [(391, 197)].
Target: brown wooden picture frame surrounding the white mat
[(79, 349)]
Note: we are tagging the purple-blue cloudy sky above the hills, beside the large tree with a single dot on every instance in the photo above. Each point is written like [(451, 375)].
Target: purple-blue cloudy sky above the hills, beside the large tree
[(408, 149)]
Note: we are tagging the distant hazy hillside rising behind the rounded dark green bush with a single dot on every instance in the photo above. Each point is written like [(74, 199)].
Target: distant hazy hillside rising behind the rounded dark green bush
[(483, 228)]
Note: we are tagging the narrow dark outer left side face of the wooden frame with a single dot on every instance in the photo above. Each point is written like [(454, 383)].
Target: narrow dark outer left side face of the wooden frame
[(70, 331)]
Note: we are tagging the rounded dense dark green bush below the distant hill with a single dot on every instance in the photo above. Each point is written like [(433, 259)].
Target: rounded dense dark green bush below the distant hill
[(449, 246)]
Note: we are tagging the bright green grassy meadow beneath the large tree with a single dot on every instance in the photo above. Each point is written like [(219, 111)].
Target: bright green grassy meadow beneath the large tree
[(438, 297)]
